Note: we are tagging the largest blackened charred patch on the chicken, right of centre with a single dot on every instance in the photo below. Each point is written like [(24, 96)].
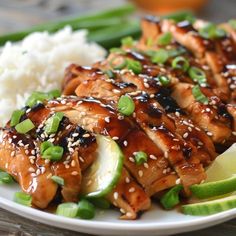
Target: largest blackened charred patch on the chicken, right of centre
[(167, 102)]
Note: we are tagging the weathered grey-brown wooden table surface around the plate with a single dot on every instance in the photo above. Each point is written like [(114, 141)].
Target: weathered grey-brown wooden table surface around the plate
[(20, 14)]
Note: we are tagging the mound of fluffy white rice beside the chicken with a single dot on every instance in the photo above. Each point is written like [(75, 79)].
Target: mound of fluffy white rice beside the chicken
[(38, 64)]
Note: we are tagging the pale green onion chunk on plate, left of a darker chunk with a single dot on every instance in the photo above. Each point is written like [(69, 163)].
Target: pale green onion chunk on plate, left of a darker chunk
[(67, 209)]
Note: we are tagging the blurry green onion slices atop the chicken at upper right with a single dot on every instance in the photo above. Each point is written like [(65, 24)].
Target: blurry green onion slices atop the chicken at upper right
[(211, 31)]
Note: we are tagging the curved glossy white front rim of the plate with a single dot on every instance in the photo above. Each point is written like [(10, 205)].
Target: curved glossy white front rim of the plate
[(83, 225)]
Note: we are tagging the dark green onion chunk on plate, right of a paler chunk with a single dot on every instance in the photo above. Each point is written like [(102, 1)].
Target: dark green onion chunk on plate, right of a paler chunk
[(86, 210)]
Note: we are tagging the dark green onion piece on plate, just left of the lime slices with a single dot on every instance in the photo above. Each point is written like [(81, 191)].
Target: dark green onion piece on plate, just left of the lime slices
[(171, 198)]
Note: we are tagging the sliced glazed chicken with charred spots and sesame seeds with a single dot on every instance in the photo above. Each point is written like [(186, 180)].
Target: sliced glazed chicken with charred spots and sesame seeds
[(180, 133)]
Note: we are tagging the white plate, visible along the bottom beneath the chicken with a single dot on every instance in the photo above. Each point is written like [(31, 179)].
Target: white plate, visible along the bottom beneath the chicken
[(153, 222)]
